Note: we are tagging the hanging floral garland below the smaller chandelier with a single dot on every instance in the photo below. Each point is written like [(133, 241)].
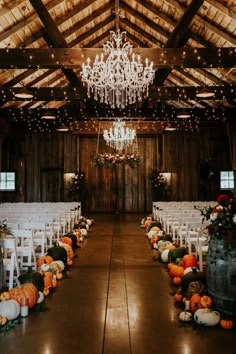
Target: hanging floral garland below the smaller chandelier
[(108, 159)]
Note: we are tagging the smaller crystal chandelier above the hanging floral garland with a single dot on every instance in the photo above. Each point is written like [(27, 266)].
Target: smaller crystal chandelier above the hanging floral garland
[(120, 136)]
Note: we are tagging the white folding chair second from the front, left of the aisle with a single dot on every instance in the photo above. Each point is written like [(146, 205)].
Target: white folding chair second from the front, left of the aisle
[(25, 248)]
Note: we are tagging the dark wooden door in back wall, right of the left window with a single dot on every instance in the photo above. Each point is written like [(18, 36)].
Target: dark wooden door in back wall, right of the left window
[(52, 185)]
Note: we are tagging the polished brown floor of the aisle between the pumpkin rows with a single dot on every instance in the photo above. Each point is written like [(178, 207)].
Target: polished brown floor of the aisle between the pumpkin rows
[(117, 300)]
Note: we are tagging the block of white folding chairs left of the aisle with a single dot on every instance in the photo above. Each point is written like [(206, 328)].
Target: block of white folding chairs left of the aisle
[(31, 238)]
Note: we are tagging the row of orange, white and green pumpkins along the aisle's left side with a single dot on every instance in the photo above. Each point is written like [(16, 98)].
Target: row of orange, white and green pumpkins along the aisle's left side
[(34, 285)]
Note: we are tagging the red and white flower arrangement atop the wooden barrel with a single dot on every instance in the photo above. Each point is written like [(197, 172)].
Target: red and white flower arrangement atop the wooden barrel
[(222, 218)]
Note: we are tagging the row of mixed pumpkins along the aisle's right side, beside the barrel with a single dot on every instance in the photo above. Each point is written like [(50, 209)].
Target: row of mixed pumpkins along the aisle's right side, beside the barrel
[(188, 283)]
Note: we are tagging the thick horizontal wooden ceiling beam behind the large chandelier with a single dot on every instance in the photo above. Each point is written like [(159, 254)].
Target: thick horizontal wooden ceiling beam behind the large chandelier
[(72, 58)]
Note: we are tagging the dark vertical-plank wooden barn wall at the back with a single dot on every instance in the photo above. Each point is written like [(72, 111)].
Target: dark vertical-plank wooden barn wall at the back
[(45, 159)]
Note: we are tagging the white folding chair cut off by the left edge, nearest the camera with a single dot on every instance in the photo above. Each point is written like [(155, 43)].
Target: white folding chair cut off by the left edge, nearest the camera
[(10, 262)]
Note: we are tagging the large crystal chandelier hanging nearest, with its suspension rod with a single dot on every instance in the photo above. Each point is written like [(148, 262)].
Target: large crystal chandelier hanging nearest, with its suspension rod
[(117, 77)]
